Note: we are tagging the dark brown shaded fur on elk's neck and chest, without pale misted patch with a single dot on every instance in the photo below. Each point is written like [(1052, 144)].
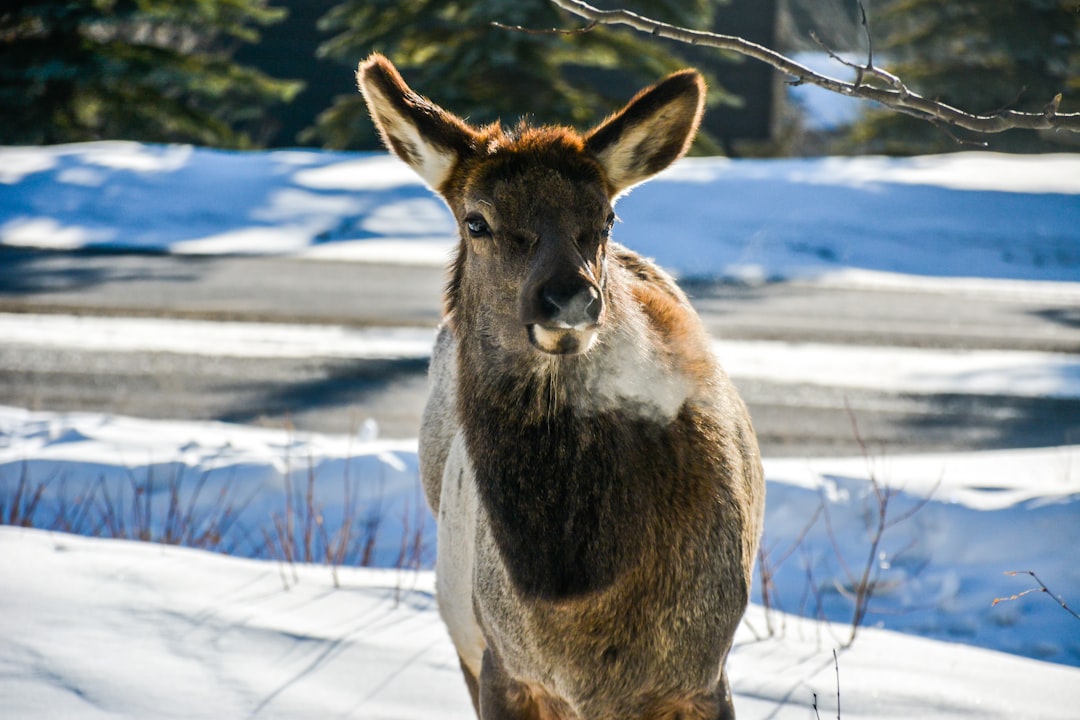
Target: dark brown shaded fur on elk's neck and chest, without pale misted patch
[(565, 490)]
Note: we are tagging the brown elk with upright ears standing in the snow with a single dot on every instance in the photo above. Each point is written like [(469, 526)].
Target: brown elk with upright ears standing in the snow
[(595, 474)]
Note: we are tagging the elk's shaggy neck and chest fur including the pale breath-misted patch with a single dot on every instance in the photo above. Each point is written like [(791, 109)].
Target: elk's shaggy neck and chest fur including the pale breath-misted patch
[(570, 447)]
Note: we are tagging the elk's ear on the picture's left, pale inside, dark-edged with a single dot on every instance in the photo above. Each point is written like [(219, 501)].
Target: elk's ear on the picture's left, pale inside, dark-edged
[(427, 138)]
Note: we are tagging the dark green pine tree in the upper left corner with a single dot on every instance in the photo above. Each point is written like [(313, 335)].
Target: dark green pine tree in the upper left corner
[(151, 71)]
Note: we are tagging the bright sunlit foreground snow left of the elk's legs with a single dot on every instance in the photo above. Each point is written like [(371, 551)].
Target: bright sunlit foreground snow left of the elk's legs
[(120, 630)]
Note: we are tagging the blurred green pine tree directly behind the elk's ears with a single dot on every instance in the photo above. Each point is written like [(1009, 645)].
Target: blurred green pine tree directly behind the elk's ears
[(451, 50)]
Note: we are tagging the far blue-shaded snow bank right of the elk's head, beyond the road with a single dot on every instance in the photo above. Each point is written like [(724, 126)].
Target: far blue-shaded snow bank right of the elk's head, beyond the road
[(775, 220)]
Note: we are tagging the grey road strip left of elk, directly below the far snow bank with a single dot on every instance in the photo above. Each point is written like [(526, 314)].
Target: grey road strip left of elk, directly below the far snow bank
[(252, 289)]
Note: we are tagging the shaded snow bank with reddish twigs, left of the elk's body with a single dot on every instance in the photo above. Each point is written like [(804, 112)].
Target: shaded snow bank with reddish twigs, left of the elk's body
[(249, 492)]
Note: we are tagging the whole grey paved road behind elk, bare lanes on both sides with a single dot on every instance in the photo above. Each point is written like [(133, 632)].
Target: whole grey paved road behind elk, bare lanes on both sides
[(335, 396)]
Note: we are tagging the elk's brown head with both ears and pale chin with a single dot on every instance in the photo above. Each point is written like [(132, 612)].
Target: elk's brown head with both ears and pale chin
[(534, 206)]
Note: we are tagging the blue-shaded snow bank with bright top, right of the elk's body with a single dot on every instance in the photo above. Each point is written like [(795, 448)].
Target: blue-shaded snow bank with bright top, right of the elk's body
[(954, 525)]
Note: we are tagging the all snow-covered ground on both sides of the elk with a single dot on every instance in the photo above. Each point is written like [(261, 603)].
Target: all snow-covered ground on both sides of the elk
[(194, 634)]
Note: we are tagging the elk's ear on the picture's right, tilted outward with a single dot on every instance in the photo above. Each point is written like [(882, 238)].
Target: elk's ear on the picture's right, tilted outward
[(650, 134)]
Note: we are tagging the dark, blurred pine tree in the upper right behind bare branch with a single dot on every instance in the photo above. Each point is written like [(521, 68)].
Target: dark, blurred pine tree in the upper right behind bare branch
[(981, 57)]
